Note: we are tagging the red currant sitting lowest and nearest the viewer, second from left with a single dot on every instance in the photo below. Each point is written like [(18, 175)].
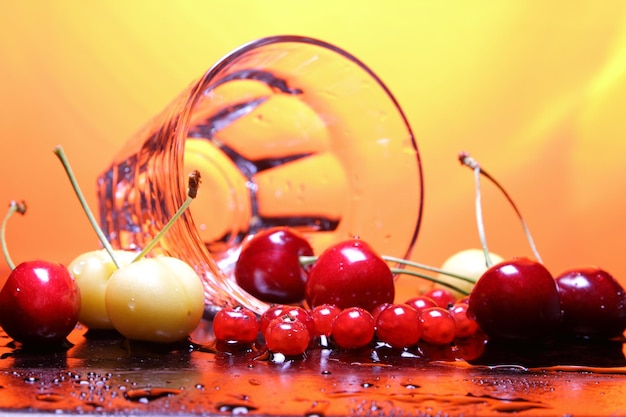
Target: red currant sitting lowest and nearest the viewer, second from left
[(287, 335)]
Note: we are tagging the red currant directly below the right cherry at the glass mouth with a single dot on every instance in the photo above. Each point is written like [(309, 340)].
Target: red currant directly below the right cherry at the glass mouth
[(353, 328)]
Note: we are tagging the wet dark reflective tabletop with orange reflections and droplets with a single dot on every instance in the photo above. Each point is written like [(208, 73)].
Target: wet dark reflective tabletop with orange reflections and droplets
[(104, 374)]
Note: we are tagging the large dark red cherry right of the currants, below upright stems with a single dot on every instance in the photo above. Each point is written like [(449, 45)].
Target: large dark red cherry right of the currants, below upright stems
[(516, 300)]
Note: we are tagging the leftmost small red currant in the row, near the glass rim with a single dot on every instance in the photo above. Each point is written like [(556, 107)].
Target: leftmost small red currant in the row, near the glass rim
[(235, 325)]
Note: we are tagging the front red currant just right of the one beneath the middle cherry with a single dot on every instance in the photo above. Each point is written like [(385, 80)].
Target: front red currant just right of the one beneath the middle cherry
[(399, 326)]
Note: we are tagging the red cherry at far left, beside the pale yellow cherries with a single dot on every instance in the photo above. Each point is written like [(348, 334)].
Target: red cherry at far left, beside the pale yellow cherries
[(39, 303)]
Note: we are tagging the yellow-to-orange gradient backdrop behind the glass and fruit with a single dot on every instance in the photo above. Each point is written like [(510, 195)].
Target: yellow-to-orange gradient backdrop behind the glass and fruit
[(536, 91)]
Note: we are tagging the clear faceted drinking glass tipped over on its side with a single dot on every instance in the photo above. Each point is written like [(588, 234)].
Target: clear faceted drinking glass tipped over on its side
[(285, 130)]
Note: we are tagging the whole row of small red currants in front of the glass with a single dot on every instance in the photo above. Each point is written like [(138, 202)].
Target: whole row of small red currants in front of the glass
[(435, 318)]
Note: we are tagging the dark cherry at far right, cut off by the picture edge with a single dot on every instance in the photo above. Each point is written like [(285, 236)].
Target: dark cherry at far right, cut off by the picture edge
[(593, 303)]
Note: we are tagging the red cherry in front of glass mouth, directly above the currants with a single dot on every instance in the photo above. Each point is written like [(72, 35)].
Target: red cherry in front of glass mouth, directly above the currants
[(350, 274)]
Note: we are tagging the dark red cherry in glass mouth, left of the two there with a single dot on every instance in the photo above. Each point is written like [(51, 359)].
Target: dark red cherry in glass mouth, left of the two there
[(269, 266)]
